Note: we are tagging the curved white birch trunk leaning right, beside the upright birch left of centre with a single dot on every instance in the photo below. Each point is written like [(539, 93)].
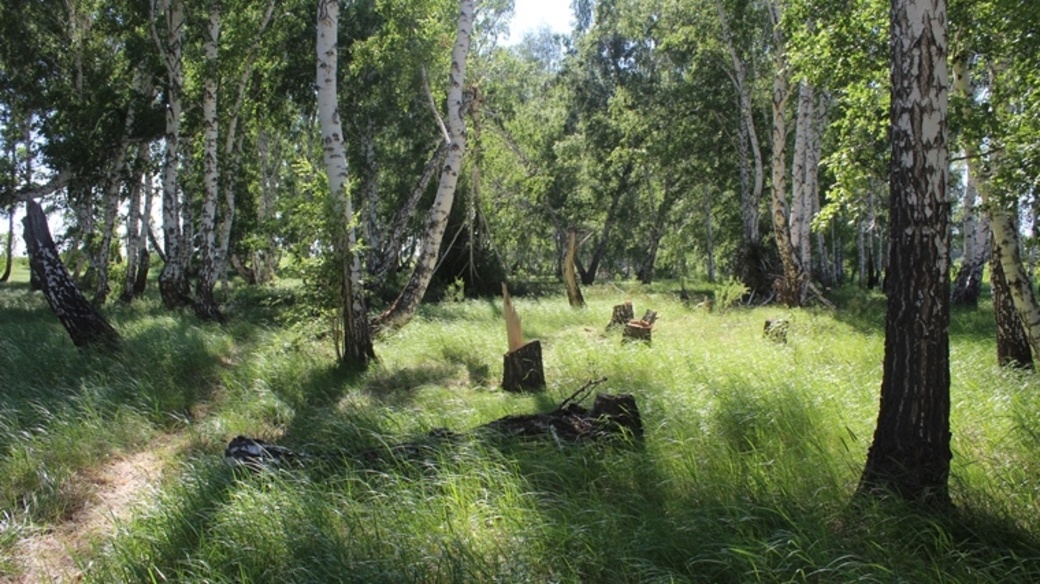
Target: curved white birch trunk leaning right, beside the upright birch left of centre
[(403, 308)]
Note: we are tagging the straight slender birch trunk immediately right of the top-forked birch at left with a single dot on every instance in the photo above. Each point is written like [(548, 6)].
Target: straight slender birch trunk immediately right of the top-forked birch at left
[(205, 304)]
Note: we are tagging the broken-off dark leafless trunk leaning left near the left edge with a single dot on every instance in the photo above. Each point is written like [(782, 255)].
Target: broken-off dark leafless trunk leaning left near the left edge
[(84, 324)]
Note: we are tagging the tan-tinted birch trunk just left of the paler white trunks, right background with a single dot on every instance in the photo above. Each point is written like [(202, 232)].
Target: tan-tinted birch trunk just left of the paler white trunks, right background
[(793, 288)]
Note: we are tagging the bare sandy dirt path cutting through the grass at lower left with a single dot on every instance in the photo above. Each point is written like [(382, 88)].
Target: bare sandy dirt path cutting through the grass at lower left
[(118, 487)]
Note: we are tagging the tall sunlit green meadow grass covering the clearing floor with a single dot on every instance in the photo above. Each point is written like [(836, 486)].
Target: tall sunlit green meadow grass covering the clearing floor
[(752, 449)]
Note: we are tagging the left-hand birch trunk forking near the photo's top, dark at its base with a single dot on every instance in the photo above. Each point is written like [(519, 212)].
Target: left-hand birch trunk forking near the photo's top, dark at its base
[(173, 282)]
